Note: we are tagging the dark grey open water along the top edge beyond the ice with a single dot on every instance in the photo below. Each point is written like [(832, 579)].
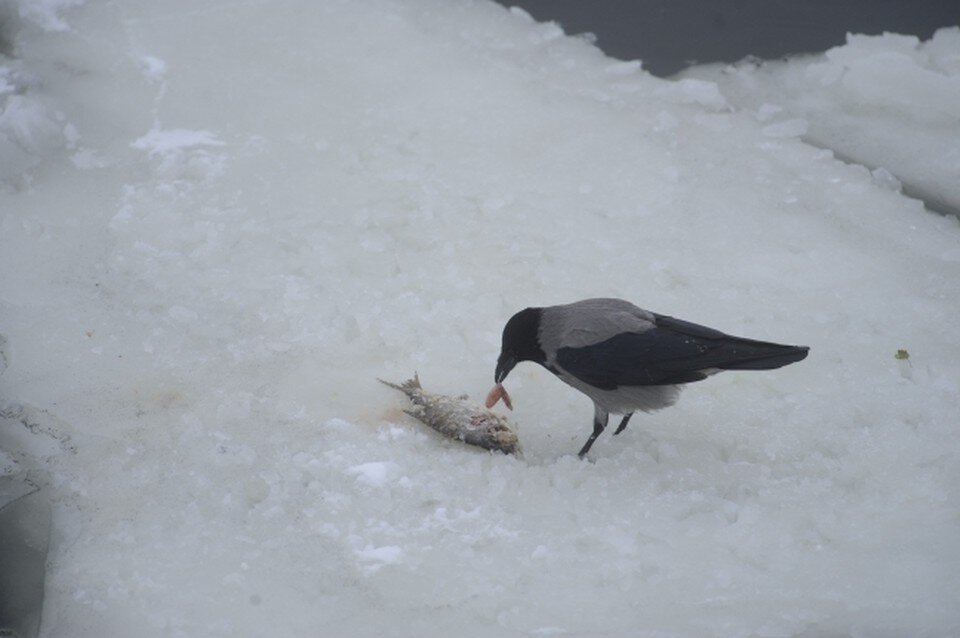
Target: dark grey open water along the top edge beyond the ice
[(669, 35)]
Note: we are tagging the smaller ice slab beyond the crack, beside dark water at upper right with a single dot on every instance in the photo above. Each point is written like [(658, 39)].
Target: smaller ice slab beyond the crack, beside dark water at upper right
[(890, 102)]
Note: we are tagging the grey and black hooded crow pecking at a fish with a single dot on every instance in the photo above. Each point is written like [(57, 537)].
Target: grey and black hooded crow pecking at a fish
[(625, 358)]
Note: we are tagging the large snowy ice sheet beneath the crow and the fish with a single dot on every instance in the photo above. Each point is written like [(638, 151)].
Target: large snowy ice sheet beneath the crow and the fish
[(221, 221)]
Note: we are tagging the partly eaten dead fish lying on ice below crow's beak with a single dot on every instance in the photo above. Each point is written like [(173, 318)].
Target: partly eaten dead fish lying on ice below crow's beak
[(458, 418)]
